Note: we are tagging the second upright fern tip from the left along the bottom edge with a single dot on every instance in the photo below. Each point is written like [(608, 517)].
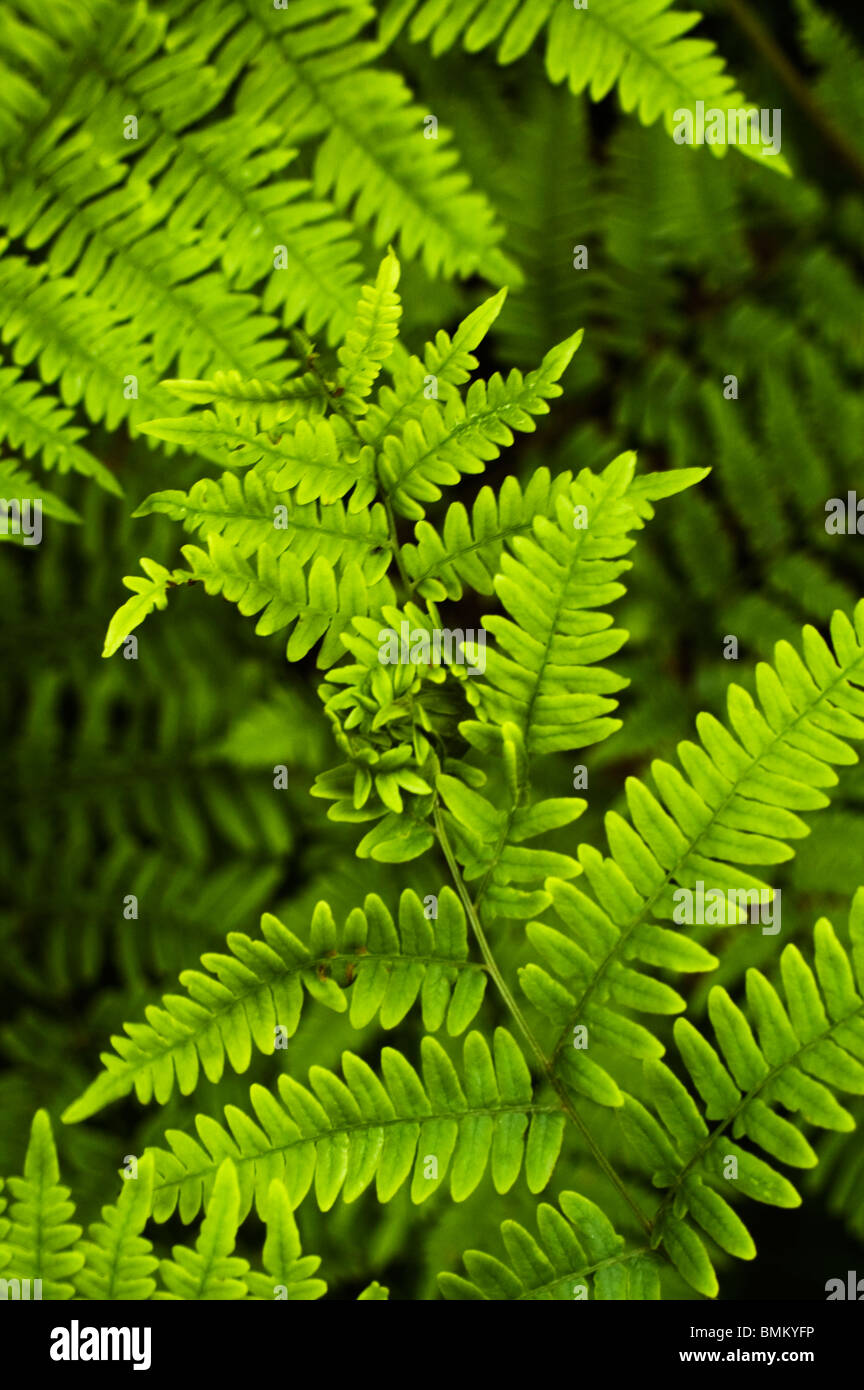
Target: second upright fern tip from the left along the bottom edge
[(119, 1259)]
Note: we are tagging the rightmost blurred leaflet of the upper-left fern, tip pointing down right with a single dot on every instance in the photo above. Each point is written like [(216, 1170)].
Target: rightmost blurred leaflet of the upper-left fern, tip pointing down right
[(373, 159)]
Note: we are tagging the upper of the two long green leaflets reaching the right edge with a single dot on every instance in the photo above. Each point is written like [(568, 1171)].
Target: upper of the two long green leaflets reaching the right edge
[(737, 806)]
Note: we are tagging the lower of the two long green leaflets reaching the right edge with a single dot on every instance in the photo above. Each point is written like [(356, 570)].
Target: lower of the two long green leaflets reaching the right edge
[(809, 1043)]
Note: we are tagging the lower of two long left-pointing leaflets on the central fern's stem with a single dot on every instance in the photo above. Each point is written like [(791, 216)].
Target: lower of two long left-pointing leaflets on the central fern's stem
[(344, 1135)]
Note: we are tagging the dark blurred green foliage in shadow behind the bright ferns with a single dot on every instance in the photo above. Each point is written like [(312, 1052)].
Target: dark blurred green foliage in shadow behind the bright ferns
[(155, 778)]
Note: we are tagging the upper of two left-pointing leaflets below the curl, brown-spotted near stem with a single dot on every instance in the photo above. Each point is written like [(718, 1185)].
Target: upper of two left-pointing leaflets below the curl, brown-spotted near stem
[(370, 967)]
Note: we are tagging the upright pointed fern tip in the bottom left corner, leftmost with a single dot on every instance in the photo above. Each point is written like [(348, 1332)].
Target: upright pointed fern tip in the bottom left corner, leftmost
[(40, 1229)]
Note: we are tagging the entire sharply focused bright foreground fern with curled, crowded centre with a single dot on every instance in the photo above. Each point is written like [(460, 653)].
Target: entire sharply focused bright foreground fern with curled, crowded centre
[(440, 762)]
